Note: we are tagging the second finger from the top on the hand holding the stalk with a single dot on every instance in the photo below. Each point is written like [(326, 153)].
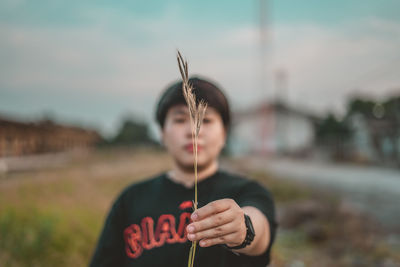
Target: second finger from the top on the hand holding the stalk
[(211, 222)]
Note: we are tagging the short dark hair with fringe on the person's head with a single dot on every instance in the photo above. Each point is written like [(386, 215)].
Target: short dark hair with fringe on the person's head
[(203, 89)]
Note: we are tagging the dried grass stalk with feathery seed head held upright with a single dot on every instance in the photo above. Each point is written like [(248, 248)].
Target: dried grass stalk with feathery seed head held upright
[(197, 113)]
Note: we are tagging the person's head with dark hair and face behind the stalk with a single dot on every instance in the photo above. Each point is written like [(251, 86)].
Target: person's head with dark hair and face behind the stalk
[(172, 115)]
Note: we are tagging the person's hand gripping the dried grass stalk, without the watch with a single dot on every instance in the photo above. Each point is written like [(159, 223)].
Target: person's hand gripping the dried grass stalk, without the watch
[(219, 222)]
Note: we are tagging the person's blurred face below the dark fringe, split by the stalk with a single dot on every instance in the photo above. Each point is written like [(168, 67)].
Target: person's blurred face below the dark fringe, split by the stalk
[(177, 137)]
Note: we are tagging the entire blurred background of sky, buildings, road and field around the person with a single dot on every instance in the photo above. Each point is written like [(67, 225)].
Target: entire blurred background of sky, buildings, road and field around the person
[(315, 92)]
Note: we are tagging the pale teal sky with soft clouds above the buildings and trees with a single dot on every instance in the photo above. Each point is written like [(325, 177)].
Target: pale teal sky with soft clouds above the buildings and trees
[(95, 62)]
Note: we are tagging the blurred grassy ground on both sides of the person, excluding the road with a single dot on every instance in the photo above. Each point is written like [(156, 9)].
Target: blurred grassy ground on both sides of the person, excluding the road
[(53, 217)]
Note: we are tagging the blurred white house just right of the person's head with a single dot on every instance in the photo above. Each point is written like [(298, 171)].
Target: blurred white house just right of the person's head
[(271, 128)]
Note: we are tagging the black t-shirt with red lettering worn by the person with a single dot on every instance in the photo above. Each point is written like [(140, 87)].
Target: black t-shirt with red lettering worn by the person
[(147, 223)]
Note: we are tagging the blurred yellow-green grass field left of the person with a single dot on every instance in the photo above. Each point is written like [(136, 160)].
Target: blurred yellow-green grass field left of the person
[(54, 217)]
